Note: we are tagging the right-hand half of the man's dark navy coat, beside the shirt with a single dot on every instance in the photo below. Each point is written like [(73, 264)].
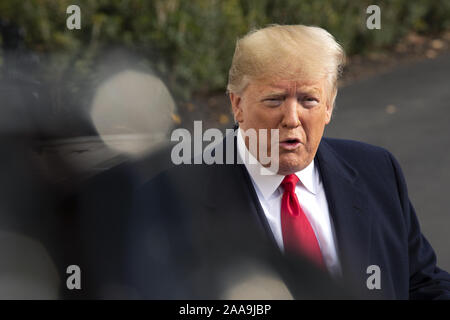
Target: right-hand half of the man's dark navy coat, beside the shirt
[(375, 222)]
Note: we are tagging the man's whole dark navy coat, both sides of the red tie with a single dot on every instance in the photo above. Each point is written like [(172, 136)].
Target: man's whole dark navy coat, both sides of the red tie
[(192, 221)]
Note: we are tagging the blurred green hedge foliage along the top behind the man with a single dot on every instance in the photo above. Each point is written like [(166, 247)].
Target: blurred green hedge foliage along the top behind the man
[(190, 43)]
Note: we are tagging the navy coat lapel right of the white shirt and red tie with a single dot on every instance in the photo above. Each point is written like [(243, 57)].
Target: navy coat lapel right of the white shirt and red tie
[(350, 216)]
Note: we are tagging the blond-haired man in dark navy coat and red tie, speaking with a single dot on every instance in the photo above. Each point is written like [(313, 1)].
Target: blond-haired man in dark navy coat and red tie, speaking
[(319, 214)]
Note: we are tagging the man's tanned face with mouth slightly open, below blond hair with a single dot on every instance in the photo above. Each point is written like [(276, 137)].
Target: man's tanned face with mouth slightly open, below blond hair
[(299, 109)]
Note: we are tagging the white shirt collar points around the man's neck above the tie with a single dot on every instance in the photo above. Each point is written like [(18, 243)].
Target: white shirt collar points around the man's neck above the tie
[(269, 183)]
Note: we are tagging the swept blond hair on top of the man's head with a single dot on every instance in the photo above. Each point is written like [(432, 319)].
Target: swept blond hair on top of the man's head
[(290, 52)]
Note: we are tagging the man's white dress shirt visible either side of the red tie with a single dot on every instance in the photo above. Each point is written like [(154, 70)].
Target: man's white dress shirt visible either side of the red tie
[(311, 195)]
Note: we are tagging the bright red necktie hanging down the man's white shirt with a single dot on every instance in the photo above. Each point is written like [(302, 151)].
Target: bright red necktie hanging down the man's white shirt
[(298, 234)]
